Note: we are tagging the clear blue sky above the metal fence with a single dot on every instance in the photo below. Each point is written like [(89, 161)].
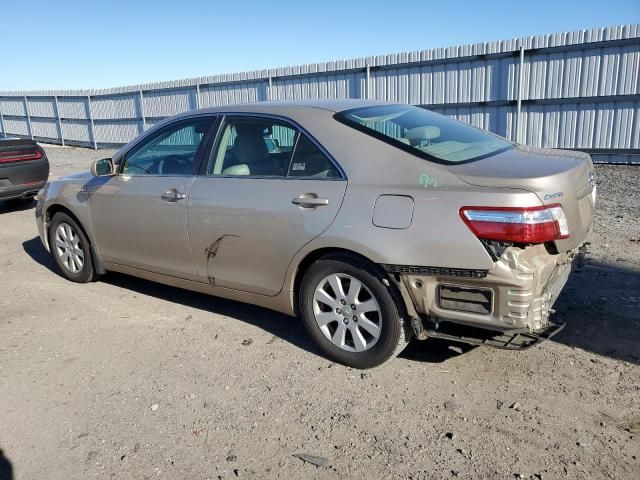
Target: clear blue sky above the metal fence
[(89, 44)]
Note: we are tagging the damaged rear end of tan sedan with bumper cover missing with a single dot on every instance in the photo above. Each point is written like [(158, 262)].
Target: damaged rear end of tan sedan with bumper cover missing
[(513, 298)]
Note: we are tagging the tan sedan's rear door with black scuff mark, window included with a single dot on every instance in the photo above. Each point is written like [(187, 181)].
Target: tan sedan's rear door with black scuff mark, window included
[(267, 190)]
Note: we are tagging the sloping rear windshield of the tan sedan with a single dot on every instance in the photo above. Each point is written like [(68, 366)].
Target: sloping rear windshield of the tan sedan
[(424, 133)]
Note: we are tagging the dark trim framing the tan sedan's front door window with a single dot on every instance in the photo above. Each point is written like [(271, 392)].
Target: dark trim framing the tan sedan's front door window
[(154, 132)]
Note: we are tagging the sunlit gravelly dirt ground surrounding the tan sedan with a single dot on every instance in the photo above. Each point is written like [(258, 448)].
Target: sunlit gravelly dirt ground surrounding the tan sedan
[(124, 378)]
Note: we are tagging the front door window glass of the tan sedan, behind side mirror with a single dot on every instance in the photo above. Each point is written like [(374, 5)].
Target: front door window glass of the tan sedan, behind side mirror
[(172, 151)]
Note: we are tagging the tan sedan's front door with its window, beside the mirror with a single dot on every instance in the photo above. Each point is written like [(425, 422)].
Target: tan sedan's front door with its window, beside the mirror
[(139, 216)]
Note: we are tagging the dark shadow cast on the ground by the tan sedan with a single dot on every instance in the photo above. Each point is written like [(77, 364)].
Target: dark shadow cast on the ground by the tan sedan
[(600, 305)]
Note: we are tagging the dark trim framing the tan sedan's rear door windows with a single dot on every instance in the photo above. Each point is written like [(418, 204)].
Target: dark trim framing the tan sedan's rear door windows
[(293, 124)]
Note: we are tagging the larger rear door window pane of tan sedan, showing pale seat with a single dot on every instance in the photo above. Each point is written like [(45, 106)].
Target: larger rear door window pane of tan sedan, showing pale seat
[(253, 146)]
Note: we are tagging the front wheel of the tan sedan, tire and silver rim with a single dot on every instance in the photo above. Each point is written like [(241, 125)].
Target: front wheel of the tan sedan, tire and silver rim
[(70, 249)]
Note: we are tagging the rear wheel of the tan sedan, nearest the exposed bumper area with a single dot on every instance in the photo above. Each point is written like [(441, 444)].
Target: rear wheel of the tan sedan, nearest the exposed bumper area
[(361, 337)]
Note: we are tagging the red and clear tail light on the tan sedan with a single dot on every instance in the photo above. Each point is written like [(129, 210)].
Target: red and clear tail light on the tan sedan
[(517, 225)]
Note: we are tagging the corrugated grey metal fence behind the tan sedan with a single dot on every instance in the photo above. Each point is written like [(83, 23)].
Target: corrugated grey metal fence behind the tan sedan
[(577, 90)]
